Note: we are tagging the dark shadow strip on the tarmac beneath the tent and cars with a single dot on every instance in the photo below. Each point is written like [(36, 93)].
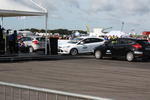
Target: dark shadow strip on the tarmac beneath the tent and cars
[(41, 57)]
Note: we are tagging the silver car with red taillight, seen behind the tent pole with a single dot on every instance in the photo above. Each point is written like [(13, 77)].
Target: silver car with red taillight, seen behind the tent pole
[(34, 43)]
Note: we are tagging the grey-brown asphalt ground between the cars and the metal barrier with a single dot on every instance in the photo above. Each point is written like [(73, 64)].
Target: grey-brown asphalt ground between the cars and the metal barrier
[(115, 79)]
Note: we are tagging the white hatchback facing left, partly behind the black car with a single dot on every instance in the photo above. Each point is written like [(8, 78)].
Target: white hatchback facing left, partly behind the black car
[(80, 45)]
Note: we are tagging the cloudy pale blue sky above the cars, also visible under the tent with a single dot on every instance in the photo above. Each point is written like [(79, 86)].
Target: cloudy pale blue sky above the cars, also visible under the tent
[(76, 14)]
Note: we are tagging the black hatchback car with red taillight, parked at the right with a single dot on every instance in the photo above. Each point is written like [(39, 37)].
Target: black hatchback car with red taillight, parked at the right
[(124, 47)]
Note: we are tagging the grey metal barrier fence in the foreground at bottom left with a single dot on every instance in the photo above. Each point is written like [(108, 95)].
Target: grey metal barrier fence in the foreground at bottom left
[(9, 91)]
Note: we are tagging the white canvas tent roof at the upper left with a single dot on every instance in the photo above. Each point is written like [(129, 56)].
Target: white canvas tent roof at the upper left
[(11, 8)]
